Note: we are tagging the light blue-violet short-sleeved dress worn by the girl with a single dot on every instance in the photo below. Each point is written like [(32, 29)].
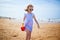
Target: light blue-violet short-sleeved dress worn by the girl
[(29, 21)]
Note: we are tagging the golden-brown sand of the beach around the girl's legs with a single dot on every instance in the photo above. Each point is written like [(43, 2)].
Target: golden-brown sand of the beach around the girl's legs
[(10, 30)]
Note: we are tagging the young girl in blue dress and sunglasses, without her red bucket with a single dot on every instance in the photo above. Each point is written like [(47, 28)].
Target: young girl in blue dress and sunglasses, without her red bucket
[(28, 21)]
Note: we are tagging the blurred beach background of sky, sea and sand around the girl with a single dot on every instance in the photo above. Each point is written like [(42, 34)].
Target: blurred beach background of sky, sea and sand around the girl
[(47, 13)]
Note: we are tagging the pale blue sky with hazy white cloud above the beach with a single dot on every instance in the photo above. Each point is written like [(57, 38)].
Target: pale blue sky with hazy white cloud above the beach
[(43, 9)]
